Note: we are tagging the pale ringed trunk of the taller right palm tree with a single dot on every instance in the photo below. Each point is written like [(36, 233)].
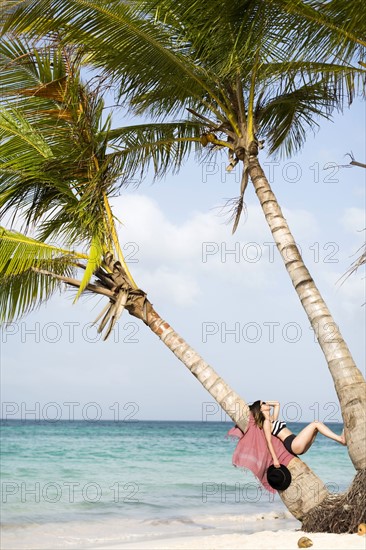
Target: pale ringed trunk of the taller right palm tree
[(348, 380)]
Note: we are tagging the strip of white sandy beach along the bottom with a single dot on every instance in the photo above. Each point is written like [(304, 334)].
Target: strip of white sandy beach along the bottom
[(229, 533)]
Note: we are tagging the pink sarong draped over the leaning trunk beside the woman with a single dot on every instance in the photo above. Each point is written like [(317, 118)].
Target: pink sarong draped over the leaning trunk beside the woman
[(252, 451)]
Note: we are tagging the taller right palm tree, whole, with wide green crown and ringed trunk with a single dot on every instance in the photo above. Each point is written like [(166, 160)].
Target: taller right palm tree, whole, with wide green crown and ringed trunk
[(246, 72)]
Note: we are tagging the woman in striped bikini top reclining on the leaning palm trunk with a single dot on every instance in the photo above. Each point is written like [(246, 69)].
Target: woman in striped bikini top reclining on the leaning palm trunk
[(295, 444)]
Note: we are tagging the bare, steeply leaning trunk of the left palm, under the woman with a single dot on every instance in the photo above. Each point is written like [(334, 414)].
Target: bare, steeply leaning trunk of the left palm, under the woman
[(306, 490)]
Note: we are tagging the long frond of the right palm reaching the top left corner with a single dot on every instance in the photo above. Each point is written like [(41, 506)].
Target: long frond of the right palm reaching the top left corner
[(113, 35)]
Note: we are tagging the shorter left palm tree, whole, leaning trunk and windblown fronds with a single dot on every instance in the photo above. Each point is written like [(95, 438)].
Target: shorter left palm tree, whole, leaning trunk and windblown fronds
[(57, 172)]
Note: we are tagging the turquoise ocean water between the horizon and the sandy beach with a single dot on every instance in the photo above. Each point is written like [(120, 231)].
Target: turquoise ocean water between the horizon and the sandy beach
[(138, 472)]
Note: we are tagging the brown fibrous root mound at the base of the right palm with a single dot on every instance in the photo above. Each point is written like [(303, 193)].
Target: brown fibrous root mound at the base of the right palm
[(340, 513)]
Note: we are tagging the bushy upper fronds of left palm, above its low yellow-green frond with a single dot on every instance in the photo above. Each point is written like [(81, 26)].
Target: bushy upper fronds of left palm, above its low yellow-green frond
[(64, 192)]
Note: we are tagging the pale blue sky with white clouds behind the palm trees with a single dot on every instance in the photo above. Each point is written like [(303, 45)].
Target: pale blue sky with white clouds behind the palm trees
[(178, 248)]
